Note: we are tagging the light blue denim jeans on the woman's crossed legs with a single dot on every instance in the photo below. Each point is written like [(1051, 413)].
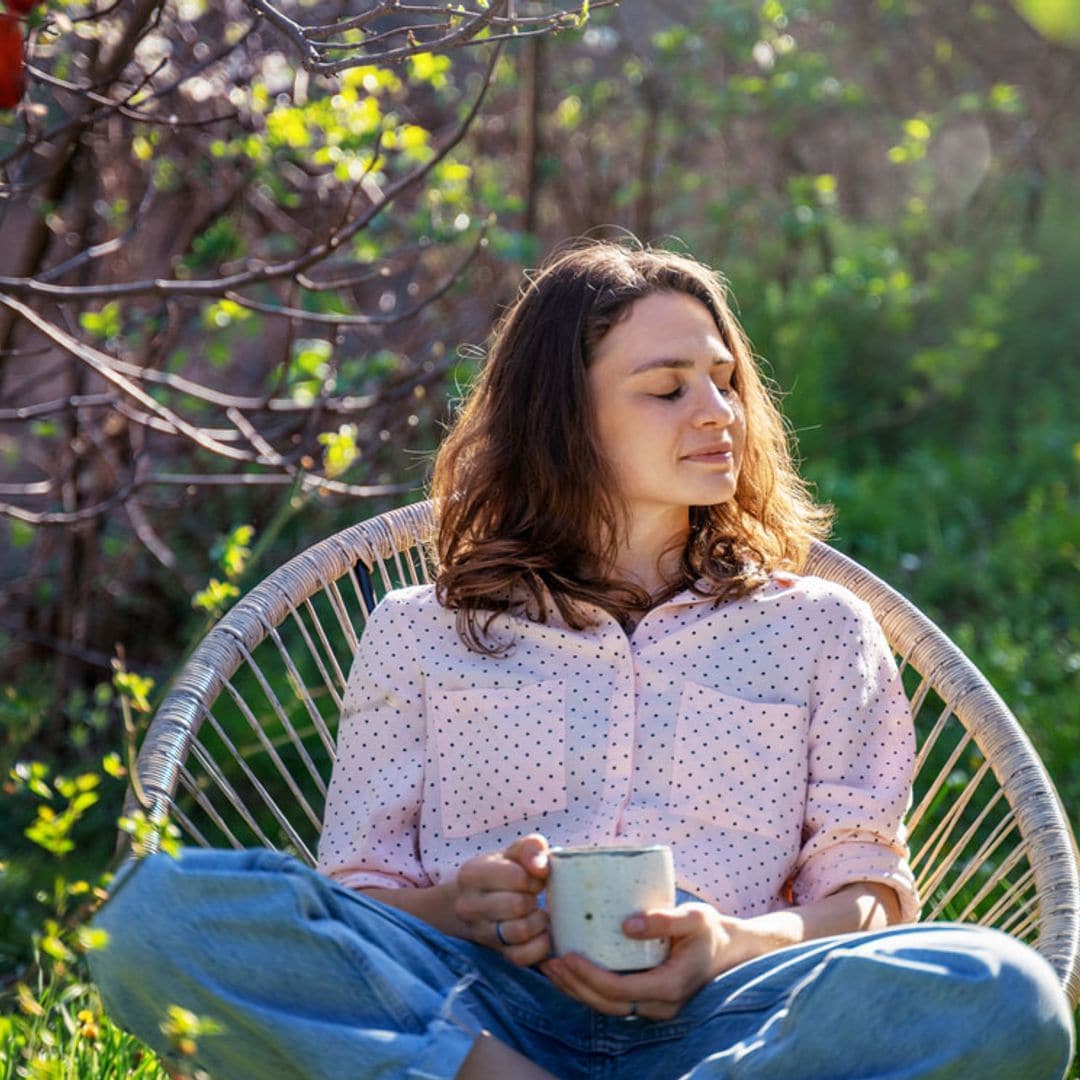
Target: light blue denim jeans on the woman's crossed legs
[(312, 980)]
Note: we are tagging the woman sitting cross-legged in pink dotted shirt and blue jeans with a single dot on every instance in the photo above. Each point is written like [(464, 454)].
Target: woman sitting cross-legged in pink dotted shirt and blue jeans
[(617, 650)]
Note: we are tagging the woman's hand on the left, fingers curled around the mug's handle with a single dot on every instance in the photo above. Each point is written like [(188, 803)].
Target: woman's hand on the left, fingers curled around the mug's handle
[(498, 893)]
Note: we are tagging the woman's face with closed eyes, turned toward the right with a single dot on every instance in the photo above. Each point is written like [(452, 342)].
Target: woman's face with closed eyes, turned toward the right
[(668, 420)]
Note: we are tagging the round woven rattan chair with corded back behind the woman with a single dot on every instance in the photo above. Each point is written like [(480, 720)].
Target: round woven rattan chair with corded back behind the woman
[(240, 752)]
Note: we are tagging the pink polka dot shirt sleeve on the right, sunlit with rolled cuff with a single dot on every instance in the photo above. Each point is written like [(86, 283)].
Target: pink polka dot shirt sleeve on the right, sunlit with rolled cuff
[(860, 766)]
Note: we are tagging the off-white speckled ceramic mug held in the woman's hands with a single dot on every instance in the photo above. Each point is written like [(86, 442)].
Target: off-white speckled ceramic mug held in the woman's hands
[(591, 892)]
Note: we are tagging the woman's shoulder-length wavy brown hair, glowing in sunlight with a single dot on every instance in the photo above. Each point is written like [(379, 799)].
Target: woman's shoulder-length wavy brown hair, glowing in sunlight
[(528, 512)]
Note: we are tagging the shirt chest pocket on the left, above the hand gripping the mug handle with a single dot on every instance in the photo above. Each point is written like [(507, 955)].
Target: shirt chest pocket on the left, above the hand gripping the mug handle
[(501, 753)]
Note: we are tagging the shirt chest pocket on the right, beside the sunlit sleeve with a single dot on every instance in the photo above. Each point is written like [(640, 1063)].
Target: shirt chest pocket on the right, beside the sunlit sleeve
[(740, 765)]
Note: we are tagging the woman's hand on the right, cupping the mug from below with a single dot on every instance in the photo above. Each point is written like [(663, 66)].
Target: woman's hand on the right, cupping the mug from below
[(704, 944)]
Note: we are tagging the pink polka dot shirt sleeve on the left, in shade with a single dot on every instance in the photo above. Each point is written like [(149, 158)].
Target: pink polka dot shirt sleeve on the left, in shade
[(371, 828)]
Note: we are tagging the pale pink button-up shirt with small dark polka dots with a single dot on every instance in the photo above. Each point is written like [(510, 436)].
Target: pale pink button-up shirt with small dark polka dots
[(767, 740)]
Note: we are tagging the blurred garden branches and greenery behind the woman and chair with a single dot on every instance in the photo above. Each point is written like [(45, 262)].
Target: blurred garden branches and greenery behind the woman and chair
[(239, 299)]
